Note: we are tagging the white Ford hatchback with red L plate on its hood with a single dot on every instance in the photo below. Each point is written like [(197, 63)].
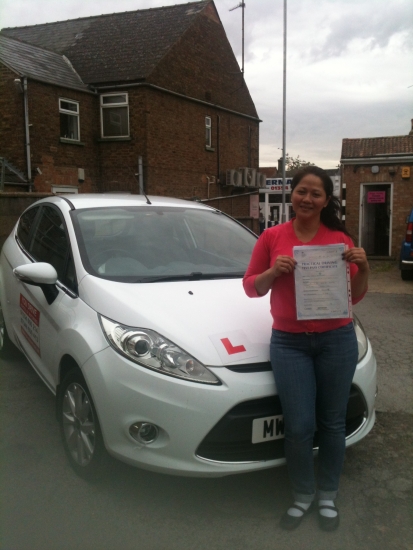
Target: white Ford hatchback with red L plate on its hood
[(131, 309)]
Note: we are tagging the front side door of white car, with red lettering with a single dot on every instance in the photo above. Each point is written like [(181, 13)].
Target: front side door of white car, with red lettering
[(36, 322)]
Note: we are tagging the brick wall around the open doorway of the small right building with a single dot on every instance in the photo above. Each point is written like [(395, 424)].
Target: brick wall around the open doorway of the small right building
[(354, 177)]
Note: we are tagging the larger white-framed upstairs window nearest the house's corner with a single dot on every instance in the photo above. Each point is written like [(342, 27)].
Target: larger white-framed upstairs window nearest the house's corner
[(114, 110)]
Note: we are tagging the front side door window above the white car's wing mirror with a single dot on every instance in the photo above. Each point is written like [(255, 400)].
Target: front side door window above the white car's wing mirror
[(50, 244)]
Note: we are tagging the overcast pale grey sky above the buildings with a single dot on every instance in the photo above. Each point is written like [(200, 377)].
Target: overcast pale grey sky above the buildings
[(349, 65)]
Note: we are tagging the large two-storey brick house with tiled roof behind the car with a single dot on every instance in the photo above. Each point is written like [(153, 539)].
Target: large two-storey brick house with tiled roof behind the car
[(150, 99)]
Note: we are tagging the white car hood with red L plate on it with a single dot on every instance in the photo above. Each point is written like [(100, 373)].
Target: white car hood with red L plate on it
[(213, 320)]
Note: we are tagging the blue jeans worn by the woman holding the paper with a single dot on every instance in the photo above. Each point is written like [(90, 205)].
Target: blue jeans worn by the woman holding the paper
[(313, 374)]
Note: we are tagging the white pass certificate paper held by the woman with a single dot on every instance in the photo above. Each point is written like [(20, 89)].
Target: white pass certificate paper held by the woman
[(322, 282)]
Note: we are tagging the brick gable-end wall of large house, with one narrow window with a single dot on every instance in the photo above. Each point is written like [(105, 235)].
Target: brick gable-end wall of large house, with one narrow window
[(177, 161)]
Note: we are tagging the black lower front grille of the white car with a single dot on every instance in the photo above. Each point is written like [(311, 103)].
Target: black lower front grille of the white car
[(230, 439)]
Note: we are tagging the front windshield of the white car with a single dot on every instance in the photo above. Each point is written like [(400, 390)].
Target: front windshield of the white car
[(152, 243)]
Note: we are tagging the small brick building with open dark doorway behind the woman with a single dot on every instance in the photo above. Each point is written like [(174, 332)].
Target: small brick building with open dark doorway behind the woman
[(377, 191)]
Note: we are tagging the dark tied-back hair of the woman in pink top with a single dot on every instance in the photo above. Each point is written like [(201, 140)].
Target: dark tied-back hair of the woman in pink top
[(330, 214)]
